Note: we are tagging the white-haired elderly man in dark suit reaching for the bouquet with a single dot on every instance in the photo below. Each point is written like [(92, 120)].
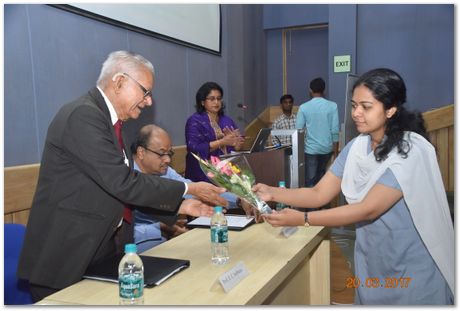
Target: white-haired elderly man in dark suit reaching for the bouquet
[(81, 210)]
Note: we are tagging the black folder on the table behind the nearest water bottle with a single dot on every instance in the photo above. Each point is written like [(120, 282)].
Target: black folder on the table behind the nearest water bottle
[(156, 269)]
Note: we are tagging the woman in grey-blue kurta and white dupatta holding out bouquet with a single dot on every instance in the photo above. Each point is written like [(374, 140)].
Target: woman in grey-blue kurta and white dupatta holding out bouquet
[(404, 250)]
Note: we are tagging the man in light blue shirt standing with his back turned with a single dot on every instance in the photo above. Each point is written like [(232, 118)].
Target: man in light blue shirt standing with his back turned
[(320, 118)]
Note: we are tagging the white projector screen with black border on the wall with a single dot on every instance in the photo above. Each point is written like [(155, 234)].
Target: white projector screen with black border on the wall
[(194, 25)]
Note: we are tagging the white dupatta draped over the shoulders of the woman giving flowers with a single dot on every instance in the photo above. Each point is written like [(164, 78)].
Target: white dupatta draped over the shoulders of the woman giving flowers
[(423, 192)]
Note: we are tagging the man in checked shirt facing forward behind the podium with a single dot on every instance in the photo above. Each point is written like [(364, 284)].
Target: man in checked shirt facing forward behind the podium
[(285, 121)]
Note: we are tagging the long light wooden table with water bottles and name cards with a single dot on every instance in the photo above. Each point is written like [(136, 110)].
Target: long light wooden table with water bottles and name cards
[(292, 270)]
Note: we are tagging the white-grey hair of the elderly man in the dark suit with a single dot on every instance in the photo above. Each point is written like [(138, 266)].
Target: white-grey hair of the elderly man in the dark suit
[(119, 62)]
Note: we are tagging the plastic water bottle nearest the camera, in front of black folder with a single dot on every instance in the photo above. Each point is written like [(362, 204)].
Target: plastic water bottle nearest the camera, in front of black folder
[(131, 277)]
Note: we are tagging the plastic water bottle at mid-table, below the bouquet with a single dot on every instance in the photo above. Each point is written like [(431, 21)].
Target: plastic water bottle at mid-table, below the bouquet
[(219, 237)]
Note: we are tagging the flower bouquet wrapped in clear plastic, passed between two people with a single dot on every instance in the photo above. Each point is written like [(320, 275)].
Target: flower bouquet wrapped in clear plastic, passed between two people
[(235, 175)]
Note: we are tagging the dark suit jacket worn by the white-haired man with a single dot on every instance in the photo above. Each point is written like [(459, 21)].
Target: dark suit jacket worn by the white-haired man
[(82, 187)]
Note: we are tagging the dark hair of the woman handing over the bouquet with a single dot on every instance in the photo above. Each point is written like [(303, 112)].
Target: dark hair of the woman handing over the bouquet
[(388, 87)]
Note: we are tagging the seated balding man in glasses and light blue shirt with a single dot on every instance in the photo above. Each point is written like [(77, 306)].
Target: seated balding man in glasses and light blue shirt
[(152, 154)]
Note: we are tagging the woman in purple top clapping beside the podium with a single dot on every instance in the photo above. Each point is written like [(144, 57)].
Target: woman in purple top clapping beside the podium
[(209, 132)]
